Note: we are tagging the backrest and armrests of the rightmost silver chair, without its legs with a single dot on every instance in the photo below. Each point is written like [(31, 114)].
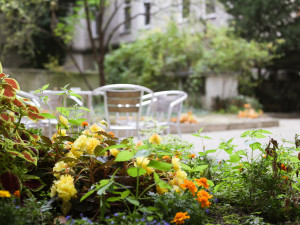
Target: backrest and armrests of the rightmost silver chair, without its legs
[(166, 103)]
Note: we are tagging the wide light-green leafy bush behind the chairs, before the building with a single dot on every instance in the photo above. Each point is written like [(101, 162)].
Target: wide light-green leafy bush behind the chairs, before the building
[(161, 56)]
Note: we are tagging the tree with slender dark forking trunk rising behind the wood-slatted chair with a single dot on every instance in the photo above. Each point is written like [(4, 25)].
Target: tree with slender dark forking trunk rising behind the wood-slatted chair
[(61, 28)]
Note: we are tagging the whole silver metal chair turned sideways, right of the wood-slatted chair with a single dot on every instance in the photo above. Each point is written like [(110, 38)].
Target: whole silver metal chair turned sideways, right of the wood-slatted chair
[(165, 105)]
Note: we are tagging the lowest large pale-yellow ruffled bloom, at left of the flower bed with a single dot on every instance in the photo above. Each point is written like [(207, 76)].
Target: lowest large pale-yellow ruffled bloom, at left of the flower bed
[(64, 188)]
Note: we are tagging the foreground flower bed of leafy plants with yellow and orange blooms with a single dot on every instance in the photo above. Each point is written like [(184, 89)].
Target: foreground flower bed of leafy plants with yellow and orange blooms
[(84, 174)]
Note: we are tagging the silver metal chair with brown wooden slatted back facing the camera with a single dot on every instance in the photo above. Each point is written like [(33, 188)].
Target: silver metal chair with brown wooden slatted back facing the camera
[(122, 103)]
